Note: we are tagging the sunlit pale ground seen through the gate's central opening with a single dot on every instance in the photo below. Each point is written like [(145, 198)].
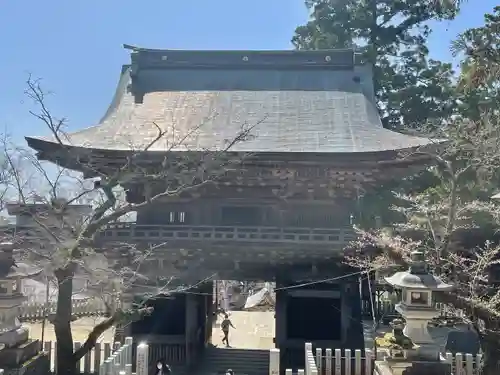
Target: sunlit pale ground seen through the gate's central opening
[(254, 330)]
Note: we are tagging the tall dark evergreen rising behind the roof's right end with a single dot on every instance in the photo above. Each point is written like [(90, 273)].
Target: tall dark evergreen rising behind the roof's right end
[(410, 88)]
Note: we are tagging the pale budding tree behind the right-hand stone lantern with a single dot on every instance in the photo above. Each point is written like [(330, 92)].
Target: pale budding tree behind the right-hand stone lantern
[(455, 223)]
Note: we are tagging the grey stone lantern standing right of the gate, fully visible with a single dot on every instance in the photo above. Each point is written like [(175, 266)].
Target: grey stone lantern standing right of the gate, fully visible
[(417, 307)]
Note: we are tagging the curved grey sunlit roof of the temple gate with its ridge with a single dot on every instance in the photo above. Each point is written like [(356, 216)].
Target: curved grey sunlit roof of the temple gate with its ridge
[(297, 101)]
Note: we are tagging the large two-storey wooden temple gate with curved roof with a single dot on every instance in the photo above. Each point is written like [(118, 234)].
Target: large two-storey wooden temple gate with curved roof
[(282, 213)]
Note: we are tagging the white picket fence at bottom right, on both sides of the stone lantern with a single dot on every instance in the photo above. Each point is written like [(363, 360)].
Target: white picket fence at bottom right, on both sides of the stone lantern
[(343, 362)]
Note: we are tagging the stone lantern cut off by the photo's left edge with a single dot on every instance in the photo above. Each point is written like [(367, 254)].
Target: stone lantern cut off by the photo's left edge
[(17, 351)]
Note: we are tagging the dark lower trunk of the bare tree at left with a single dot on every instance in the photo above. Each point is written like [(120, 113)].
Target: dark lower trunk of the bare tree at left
[(62, 322)]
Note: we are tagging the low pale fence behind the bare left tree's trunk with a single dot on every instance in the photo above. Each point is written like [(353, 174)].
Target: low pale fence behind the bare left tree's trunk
[(37, 311)]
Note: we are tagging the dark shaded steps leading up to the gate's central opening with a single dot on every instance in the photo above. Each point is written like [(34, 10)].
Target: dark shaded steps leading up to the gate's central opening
[(242, 361)]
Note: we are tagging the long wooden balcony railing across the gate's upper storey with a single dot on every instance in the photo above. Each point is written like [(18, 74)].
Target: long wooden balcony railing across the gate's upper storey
[(134, 232)]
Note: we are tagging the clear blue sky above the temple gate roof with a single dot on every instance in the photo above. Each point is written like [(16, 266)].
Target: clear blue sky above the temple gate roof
[(76, 46)]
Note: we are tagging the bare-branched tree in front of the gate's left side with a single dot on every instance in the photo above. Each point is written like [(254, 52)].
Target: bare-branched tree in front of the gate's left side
[(66, 212)]
